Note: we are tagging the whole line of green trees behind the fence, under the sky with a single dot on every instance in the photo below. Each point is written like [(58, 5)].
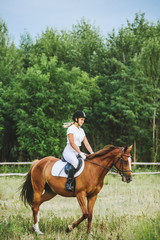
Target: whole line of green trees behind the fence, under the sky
[(115, 79)]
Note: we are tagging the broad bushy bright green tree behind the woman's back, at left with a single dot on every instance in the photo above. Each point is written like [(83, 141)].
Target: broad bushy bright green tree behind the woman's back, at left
[(43, 98)]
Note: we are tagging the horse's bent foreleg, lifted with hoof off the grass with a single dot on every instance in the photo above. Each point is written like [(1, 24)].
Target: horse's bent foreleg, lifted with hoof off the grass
[(81, 197)]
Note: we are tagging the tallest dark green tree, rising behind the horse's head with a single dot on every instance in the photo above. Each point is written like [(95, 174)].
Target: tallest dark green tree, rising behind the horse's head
[(127, 110)]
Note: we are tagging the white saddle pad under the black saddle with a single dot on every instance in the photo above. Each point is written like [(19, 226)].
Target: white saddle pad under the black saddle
[(58, 169)]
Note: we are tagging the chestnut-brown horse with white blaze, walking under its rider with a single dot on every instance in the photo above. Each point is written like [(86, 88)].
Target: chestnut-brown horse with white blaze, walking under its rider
[(41, 186)]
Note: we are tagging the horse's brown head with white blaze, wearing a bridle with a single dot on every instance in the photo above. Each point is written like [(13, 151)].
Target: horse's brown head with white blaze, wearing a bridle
[(123, 164)]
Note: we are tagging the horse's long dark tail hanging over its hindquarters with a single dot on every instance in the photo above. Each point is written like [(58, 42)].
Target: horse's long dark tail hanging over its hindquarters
[(26, 194)]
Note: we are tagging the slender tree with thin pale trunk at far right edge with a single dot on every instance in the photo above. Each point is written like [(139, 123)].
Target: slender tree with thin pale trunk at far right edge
[(149, 60)]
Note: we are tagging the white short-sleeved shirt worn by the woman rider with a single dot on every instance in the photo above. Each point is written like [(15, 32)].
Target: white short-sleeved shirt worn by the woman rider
[(78, 134)]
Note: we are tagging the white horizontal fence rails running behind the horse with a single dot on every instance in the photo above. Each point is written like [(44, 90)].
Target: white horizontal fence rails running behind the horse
[(26, 163)]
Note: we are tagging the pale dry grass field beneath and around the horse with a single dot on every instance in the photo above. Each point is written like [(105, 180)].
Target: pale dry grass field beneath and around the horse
[(122, 211)]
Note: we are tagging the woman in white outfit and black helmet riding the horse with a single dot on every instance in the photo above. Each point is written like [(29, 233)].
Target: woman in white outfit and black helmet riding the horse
[(75, 136)]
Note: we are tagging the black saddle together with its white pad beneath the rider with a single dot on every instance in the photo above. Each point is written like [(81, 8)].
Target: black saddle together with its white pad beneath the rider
[(62, 167)]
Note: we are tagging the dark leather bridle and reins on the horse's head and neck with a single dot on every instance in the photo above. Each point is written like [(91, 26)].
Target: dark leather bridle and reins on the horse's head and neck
[(118, 171)]
